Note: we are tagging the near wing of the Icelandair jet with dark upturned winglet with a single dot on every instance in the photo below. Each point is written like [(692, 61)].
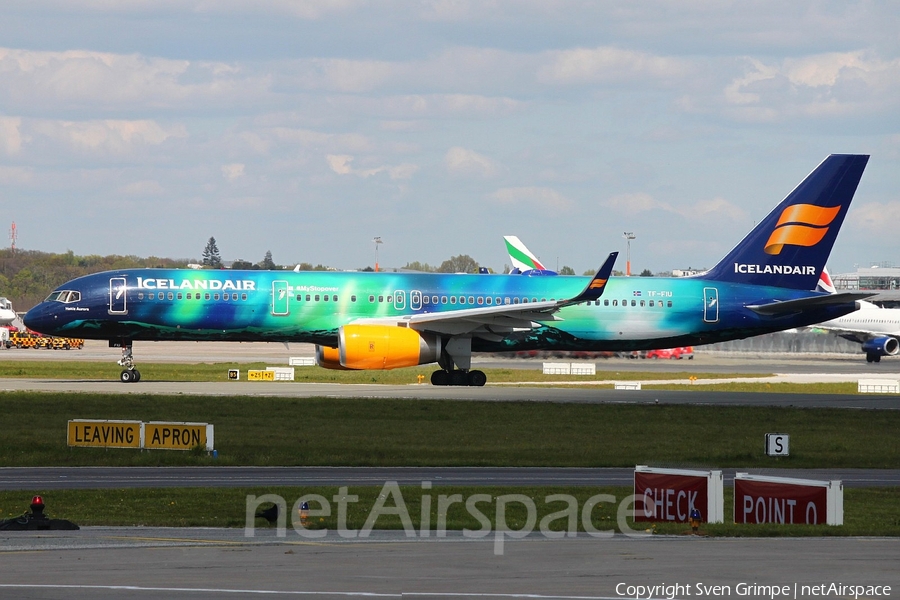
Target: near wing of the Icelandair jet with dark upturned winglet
[(492, 322)]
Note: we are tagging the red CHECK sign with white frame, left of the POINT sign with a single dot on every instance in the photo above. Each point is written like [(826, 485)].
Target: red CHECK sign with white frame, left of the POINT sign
[(669, 495)]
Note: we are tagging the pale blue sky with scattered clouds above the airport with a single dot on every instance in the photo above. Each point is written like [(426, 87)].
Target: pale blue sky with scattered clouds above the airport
[(308, 128)]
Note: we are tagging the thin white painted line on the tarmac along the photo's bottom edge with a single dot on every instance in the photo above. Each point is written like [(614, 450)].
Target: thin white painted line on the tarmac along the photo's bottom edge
[(137, 588)]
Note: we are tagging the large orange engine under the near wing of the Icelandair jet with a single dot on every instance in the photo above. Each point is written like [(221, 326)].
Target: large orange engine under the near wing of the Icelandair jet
[(384, 347)]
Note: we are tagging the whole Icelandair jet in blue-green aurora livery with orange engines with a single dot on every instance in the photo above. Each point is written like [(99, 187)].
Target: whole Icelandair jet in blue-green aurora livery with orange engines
[(389, 320)]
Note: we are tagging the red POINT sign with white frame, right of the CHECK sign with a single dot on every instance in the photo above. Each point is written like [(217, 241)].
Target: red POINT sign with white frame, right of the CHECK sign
[(787, 501)]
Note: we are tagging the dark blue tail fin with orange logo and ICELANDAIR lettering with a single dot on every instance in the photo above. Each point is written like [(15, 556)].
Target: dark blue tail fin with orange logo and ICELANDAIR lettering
[(790, 246)]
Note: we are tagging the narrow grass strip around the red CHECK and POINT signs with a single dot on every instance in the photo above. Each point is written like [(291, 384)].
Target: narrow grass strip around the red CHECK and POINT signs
[(867, 512)]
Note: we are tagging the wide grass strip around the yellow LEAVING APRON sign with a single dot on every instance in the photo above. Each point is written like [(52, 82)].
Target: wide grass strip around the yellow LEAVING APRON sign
[(373, 432)]
